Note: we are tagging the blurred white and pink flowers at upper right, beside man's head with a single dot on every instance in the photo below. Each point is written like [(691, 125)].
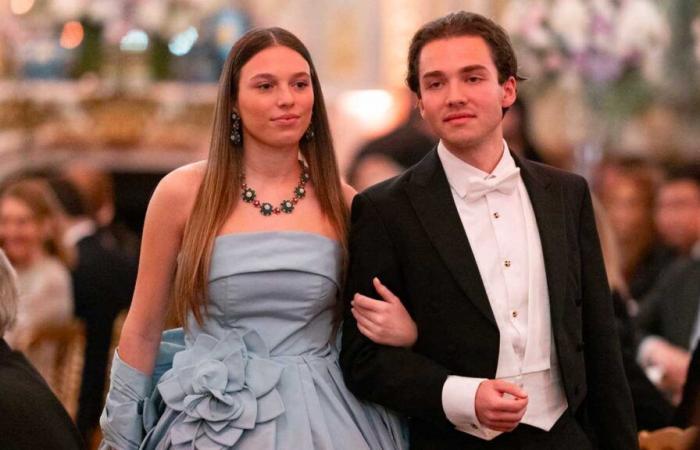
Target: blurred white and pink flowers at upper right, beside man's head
[(615, 48)]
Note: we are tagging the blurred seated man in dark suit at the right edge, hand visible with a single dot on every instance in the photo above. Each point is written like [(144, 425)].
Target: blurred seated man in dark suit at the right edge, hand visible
[(670, 317)]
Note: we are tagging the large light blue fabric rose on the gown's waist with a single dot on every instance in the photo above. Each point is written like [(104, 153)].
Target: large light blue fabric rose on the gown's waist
[(221, 388)]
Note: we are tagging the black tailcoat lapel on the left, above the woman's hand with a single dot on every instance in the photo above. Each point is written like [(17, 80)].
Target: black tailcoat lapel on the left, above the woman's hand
[(431, 197)]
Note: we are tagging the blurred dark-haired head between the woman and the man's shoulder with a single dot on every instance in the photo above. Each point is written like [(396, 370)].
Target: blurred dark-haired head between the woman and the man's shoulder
[(389, 155)]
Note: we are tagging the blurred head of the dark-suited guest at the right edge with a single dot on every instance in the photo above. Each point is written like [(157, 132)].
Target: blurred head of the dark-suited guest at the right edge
[(678, 209)]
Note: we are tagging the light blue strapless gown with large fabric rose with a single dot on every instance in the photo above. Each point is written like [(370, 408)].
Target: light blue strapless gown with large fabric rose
[(262, 371)]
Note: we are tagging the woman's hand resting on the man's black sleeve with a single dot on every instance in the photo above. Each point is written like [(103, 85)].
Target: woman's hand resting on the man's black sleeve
[(384, 322)]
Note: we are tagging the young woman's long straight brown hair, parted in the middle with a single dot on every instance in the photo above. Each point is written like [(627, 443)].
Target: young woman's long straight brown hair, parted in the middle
[(218, 193)]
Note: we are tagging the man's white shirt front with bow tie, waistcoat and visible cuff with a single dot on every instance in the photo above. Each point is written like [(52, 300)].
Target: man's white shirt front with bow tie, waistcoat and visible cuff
[(502, 231)]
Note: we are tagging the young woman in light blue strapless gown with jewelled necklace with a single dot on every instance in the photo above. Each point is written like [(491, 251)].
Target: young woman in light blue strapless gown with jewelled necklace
[(250, 245)]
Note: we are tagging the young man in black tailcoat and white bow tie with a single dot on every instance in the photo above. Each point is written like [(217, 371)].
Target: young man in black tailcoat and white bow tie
[(498, 261)]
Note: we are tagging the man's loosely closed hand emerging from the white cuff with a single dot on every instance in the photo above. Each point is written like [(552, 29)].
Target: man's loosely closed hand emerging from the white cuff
[(500, 405)]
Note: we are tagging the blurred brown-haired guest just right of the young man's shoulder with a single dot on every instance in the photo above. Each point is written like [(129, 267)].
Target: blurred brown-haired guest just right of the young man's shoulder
[(626, 188)]
